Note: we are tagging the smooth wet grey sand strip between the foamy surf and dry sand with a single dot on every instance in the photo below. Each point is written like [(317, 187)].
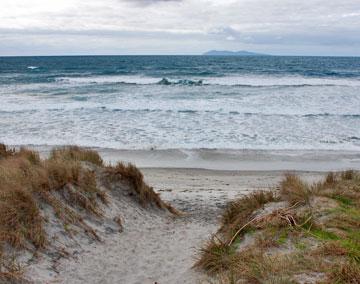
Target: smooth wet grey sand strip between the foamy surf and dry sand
[(228, 159)]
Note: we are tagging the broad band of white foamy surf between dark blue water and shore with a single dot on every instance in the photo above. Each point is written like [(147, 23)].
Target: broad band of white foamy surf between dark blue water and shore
[(127, 117)]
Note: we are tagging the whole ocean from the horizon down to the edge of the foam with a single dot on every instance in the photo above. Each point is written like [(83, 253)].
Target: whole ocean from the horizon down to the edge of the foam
[(181, 102)]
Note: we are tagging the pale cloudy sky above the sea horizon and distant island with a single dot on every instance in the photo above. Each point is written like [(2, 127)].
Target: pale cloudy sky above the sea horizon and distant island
[(278, 27)]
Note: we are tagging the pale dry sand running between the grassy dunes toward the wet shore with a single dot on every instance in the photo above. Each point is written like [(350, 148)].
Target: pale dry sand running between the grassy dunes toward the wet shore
[(156, 247)]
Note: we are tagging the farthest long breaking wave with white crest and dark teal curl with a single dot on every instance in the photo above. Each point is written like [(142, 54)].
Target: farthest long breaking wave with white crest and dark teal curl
[(235, 81)]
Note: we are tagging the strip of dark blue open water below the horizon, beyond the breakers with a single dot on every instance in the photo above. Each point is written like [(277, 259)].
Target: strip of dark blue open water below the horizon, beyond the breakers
[(49, 68)]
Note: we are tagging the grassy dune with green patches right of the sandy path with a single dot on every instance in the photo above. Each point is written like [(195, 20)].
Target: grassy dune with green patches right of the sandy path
[(314, 236)]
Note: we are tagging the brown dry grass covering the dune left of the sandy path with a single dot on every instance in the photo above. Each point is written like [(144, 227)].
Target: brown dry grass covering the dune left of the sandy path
[(73, 184)]
